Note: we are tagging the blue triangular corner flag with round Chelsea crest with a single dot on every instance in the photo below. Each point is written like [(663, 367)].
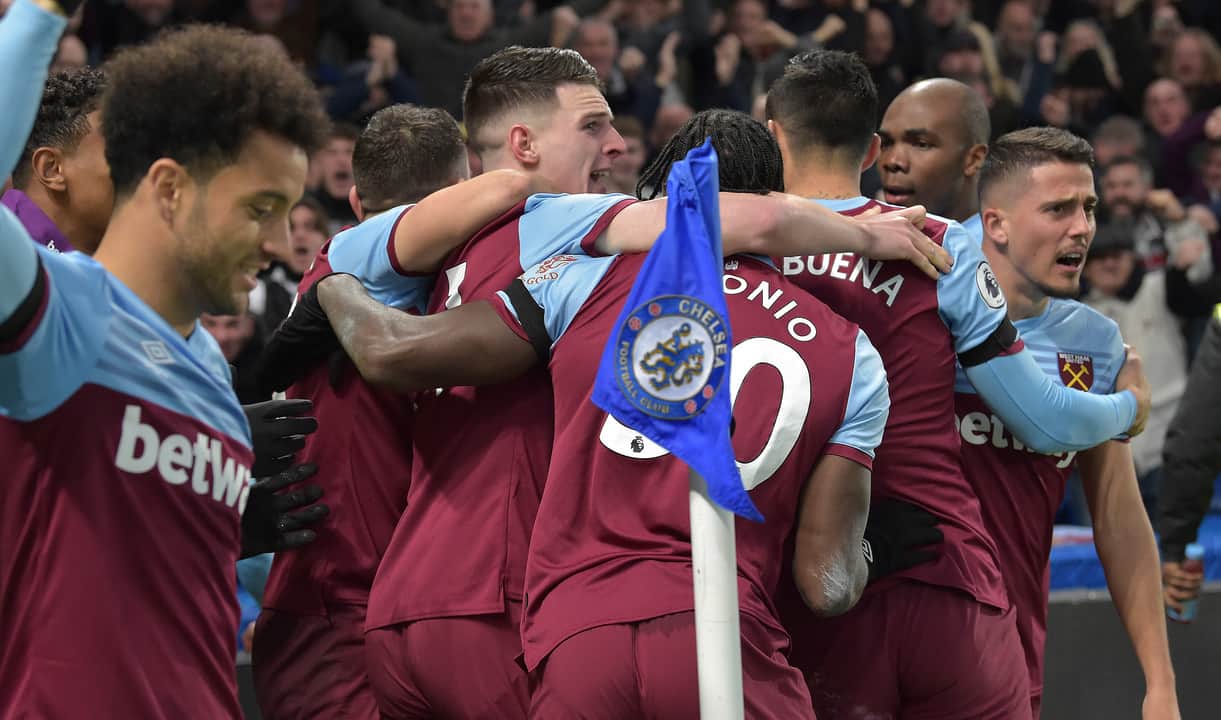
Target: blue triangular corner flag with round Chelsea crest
[(666, 365)]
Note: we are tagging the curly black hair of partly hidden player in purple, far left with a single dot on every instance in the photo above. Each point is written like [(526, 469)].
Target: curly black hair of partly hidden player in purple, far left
[(63, 117)]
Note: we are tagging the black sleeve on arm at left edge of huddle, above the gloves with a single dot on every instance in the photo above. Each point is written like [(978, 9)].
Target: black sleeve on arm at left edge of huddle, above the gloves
[(300, 345)]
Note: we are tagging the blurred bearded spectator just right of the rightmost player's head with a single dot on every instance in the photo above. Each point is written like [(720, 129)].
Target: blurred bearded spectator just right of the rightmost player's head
[(1161, 229)]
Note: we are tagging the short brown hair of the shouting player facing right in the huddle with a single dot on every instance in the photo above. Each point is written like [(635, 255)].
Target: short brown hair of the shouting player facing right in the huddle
[(516, 77)]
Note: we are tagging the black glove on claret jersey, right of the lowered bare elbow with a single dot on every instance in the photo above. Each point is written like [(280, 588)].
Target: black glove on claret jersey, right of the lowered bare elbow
[(897, 538)]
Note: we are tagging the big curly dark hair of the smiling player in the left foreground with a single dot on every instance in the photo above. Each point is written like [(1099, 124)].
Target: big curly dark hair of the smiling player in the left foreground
[(196, 95)]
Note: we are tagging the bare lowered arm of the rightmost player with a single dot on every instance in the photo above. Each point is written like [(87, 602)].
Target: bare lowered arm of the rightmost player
[(1129, 555)]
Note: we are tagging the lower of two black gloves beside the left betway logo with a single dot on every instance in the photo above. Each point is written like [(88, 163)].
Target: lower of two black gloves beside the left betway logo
[(269, 525)]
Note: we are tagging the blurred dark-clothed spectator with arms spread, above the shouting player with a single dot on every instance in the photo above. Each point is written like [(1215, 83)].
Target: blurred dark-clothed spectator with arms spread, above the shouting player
[(441, 60)]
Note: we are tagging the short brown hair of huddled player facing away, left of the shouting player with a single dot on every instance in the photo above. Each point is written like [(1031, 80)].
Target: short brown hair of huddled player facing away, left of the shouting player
[(405, 154)]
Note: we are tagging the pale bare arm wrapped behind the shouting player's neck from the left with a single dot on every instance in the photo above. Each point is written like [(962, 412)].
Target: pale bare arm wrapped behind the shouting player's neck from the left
[(449, 218)]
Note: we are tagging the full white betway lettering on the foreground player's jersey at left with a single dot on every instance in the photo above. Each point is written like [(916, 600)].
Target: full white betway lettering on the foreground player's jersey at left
[(178, 459)]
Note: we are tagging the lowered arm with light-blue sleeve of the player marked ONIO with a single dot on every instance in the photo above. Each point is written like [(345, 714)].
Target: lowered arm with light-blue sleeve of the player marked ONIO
[(830, 564)]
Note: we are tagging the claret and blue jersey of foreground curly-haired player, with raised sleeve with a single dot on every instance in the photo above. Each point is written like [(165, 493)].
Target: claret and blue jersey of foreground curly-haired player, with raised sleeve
[(126, 469)]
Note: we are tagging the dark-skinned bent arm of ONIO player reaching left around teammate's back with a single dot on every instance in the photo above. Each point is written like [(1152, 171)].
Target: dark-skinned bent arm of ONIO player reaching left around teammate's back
[(469, 346)]
